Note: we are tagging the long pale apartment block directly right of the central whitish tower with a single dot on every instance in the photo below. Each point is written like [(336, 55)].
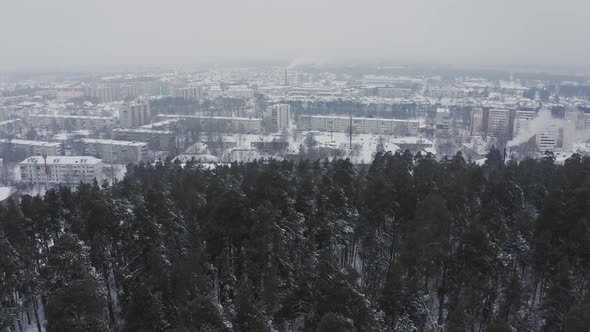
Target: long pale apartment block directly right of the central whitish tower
[(359, 125)]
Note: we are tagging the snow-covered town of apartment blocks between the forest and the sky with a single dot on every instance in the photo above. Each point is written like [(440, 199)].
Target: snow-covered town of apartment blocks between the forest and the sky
[(68, 129)]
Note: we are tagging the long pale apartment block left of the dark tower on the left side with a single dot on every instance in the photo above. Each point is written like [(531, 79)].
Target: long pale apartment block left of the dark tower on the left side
[(71, 122)]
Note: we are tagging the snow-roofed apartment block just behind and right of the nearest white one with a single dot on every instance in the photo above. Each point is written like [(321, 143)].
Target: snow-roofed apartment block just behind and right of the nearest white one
[(113, 151)]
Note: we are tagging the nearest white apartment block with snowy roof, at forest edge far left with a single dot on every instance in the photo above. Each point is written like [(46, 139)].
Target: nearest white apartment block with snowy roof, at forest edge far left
[(56, 170)]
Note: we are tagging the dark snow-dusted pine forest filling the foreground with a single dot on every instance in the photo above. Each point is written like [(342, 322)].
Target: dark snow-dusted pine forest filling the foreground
[(408, 243)]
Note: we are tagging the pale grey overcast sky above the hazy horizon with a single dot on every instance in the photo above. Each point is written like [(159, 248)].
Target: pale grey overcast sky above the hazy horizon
[(126, 32)]
